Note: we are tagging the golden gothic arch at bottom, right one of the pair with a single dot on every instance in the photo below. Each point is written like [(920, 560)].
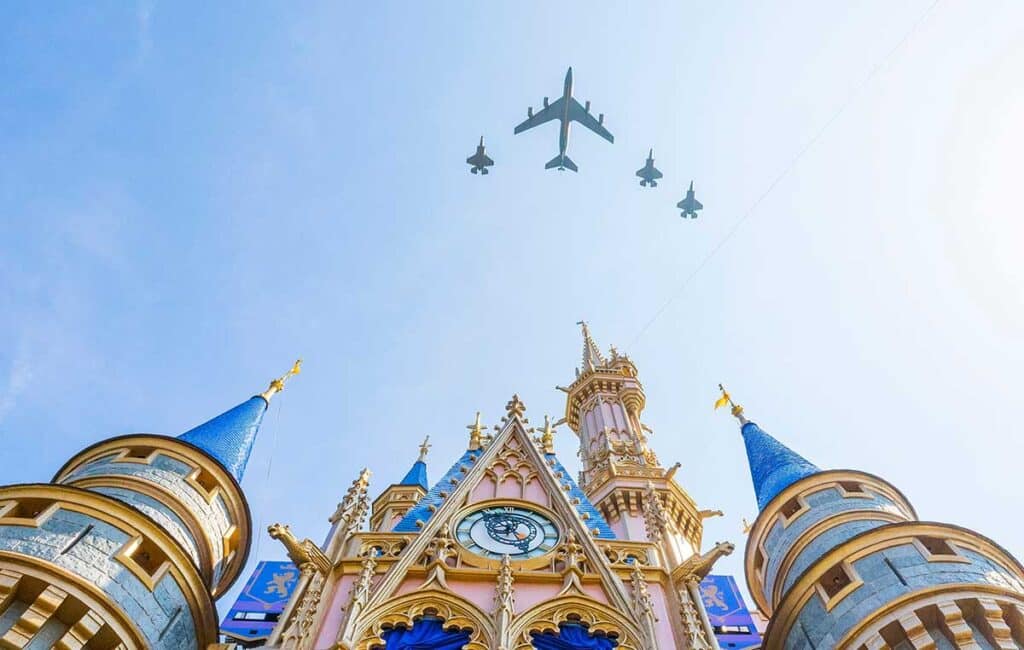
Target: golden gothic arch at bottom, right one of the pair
[(596, 617)]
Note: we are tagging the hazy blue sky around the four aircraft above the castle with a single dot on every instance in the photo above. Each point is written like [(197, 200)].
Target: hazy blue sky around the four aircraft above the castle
[(193, 196)]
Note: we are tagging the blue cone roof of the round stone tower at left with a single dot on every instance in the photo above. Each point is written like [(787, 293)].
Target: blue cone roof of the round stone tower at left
[(229, 439)]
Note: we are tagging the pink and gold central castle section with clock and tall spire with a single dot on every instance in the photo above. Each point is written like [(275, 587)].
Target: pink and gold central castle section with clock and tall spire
[(507, 552)]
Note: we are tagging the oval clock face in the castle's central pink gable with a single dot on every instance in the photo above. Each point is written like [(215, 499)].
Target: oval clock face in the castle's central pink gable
[(500, 531)]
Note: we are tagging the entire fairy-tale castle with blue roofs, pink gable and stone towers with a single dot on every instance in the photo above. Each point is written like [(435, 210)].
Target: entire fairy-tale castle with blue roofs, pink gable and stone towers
[(134, 539)]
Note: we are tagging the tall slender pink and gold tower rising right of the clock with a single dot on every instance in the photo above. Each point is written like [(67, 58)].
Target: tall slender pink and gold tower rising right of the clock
[(621, 473)]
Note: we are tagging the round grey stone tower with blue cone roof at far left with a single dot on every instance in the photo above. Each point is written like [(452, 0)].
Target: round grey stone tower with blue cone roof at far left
[(131, 543)]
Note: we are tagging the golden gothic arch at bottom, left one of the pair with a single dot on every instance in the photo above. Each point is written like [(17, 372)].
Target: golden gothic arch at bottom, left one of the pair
[(406, 611)]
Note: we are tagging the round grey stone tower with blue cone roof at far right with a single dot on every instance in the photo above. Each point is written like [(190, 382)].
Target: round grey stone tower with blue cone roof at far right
[(839, 559)]
